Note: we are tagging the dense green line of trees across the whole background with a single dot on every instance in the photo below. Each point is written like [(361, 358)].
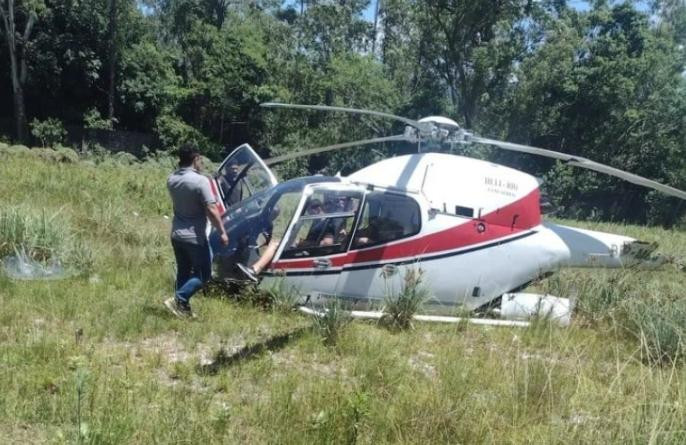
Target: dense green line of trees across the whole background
[(603, 80)]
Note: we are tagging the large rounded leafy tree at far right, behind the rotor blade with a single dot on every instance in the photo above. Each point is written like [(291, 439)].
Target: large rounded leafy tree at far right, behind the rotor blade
[(609, 86)]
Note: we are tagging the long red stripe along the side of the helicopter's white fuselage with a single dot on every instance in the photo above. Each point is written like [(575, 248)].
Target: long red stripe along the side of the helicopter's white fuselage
[(506, 221)]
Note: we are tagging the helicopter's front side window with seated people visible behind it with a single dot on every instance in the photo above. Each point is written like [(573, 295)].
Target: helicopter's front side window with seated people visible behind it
[(325, 225)]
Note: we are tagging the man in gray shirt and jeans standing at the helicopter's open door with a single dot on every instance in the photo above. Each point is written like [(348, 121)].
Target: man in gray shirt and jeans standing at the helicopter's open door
[(193, 205)]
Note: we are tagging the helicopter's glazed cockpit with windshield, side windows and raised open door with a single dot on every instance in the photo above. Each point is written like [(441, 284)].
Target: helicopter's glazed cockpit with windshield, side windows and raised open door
[(308, 218)]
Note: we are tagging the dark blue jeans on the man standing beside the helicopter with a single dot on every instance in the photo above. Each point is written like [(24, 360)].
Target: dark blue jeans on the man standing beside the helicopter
[(193, 268)]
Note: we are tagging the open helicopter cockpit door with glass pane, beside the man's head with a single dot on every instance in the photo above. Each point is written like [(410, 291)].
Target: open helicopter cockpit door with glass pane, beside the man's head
[(241, 175)]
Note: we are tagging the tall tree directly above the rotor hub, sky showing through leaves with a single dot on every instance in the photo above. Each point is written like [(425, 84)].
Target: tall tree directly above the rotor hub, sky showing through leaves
[(472, 47)]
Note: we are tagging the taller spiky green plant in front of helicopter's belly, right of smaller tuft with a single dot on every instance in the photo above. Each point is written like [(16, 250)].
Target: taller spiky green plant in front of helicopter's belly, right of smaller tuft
[(399, 309)]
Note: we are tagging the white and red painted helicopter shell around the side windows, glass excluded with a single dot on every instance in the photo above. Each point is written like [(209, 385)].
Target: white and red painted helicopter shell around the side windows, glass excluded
[(480, 236)]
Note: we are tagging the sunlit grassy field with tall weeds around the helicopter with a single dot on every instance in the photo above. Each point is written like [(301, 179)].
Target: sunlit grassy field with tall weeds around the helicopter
[(94, 358)]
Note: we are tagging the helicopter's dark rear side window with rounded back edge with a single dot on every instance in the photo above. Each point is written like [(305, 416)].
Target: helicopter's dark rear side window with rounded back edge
[(387, 217)]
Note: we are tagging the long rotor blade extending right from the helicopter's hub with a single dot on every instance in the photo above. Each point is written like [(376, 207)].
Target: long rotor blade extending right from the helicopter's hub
[(579, 161)]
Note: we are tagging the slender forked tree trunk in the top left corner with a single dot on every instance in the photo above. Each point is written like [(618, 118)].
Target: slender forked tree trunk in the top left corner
[(17, 43)]
